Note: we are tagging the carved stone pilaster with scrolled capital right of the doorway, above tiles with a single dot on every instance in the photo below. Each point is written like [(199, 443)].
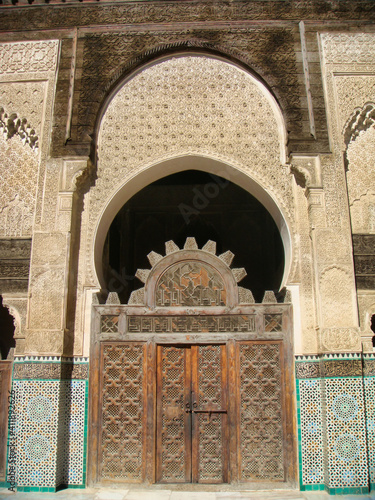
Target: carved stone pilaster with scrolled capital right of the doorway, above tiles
[(335, 295)]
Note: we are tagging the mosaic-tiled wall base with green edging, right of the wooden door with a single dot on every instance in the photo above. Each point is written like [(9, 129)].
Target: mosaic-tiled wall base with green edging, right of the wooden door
[(334, 444)]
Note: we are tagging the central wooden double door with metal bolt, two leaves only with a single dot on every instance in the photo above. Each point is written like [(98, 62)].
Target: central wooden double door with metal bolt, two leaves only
[(192, 414)]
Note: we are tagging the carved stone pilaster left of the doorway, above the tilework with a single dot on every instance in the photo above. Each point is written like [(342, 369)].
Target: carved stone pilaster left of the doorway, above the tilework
[(47, 329)]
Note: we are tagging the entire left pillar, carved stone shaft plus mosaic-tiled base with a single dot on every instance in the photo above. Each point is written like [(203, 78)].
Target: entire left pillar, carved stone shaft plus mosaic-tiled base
[(50, 386)]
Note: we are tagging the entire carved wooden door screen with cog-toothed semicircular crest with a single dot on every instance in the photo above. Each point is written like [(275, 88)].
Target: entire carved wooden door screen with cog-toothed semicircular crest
[(195, 379)]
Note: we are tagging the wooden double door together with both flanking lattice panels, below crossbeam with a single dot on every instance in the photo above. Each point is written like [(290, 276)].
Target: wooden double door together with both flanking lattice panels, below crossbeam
[(201, 413)]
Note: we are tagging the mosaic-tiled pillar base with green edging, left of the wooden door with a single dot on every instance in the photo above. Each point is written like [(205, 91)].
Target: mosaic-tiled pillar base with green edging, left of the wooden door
[(51, 422)]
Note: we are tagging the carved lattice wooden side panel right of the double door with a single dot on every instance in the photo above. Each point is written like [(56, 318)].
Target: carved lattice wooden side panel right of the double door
[(260, 408)]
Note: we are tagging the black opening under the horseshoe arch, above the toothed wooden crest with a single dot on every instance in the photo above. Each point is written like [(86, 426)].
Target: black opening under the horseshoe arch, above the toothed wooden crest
[(193, 203)]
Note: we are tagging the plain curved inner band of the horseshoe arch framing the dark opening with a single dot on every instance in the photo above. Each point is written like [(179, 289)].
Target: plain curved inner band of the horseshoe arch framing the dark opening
[(168, 167)]
